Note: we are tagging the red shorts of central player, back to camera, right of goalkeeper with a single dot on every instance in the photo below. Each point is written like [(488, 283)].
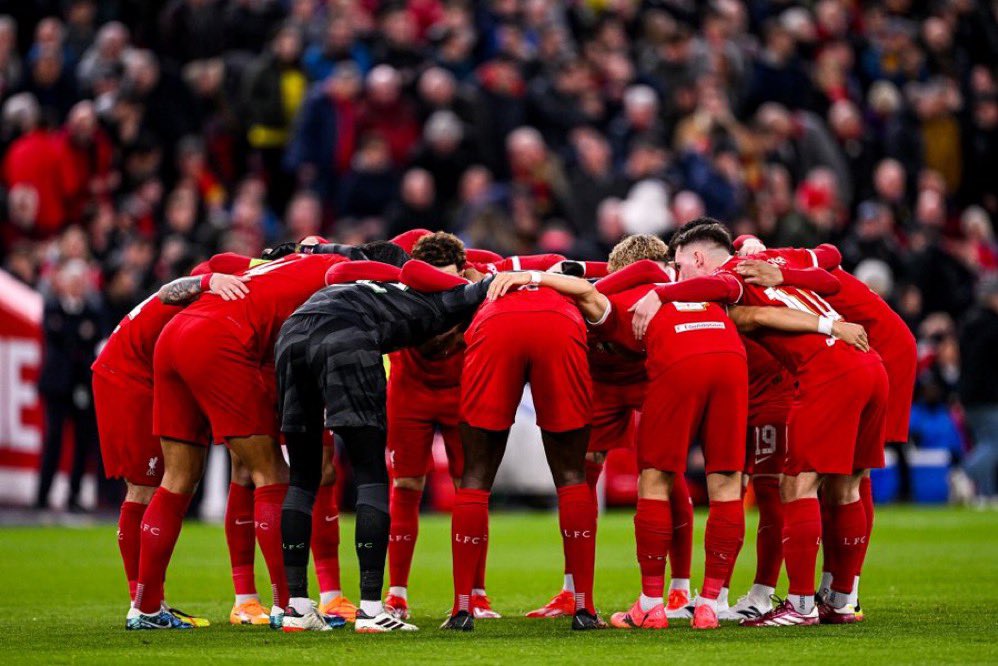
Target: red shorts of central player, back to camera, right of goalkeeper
[(544, 348)]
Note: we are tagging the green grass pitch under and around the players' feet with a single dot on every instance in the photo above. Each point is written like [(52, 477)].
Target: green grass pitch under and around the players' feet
[(930, 590)]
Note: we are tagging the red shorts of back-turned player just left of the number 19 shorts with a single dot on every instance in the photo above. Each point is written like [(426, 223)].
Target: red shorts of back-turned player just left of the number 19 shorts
[(703, 396)]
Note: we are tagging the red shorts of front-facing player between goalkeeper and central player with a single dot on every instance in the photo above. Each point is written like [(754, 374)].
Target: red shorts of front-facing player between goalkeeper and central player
[(415, 413)]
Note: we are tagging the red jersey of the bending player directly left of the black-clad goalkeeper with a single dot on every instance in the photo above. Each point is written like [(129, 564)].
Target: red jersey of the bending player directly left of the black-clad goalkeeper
[(276, 289)]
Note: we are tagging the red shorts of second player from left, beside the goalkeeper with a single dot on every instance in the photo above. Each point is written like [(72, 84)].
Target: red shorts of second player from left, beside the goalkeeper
[(207, 386)]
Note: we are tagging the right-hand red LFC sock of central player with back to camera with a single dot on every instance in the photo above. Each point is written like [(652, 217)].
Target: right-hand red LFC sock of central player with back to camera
[(577, 518)]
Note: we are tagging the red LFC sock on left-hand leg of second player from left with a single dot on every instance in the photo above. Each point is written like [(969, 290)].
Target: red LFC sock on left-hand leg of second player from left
[(161, 525)]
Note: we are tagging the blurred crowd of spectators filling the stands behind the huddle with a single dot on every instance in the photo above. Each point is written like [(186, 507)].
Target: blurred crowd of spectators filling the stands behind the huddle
[(140, 136)]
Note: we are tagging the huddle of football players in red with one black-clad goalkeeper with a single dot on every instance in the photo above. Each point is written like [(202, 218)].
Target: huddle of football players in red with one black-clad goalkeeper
[(788, 371)]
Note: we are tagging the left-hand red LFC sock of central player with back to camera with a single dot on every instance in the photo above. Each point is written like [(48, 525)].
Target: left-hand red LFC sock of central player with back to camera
[(469, 541)]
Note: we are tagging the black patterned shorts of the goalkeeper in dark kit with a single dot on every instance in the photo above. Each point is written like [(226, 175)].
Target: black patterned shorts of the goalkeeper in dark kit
[(331, 363)]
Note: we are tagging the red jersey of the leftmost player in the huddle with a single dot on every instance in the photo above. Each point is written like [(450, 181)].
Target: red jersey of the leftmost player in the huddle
[(129, 349)]
